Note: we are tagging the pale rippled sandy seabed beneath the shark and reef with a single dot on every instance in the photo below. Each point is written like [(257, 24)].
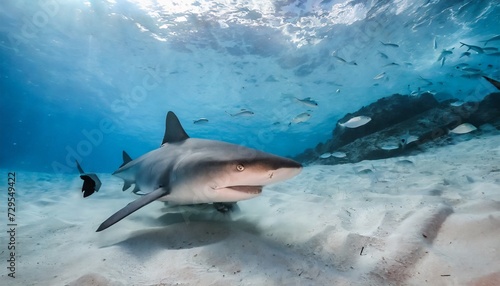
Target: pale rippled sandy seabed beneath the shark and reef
[(429, 219)]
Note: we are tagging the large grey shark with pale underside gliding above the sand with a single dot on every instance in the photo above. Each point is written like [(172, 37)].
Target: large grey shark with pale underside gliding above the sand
[(190, 171)]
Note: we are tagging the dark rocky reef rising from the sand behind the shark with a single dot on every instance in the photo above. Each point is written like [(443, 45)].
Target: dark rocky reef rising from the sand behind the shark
[(398, 118)]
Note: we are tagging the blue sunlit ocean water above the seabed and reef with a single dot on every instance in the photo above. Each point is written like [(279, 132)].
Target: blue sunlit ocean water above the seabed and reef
[(86, 79)]
